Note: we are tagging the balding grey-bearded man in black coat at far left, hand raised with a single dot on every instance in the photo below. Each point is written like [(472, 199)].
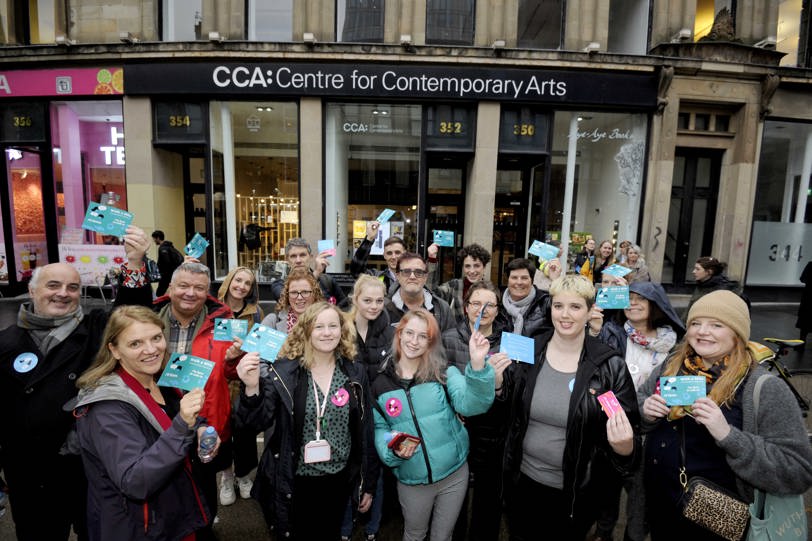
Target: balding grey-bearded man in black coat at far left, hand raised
[(41, 356)]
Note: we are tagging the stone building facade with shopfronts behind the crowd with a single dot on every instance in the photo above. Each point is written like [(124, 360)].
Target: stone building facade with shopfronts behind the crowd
[(681, 125)]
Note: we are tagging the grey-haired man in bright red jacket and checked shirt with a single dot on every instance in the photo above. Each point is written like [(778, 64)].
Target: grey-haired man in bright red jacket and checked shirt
[(189, 312)]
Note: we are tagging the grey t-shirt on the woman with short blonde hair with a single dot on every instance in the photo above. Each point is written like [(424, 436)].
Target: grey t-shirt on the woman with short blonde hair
[(543, 445)]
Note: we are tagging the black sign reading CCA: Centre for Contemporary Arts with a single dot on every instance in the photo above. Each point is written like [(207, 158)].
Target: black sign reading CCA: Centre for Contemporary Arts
[(630, 89)]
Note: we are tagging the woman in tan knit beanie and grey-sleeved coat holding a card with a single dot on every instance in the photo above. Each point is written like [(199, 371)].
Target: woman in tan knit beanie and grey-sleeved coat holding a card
[(718, 431)]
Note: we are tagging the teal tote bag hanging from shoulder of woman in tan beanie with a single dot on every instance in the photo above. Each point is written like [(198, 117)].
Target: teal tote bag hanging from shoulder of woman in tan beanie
[(774, 517)]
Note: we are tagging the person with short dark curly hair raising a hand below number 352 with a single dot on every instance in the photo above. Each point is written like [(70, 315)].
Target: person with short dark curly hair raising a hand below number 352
[(473, 258)]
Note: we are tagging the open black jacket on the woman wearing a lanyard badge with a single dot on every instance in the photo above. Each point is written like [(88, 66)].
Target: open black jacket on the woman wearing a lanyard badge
[(282, 399)]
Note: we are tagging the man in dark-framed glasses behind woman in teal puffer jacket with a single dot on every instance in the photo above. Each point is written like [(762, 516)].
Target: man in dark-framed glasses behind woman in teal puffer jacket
[(412, 293)]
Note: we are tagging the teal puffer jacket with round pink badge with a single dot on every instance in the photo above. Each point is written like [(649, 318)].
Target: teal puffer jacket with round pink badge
[(429, 411)]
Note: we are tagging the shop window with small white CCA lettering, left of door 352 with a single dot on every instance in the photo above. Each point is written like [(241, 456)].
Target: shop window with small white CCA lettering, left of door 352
[(372, 162)]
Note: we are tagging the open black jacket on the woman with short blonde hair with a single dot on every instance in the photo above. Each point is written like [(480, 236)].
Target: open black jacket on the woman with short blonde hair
[(599, 370)]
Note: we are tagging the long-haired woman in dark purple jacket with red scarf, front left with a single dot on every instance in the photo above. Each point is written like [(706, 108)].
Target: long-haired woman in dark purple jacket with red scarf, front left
[(135, 437)]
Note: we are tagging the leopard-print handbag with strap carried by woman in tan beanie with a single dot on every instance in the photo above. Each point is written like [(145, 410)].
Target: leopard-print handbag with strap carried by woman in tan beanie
[(710, 506)]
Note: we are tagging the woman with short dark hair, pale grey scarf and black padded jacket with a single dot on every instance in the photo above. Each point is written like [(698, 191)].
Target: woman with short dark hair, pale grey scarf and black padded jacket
[(526, 307)]
